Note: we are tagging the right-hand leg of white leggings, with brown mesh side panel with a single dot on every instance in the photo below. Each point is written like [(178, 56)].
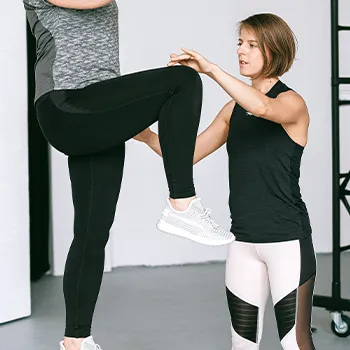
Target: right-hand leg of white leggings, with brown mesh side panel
[(291, 269)]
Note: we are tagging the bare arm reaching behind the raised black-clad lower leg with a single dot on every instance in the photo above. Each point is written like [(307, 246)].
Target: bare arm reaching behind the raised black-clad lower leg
[(211, 139)]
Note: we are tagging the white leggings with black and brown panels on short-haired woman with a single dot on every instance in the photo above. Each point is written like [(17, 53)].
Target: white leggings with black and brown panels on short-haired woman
[(287, 270)]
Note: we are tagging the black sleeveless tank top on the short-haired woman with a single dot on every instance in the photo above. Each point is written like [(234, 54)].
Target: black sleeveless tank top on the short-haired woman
[(264, 169)]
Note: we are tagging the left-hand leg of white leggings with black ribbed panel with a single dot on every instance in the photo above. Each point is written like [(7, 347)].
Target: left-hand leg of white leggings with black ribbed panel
[(247, 289)]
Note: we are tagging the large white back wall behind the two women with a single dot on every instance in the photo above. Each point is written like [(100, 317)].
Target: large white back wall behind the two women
[(149, 32)]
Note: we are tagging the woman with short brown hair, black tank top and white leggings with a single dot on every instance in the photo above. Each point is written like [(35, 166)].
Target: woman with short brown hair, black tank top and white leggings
[(265, 128)]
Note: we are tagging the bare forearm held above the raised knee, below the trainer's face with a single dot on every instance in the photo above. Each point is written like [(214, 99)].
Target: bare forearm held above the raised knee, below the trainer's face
[(249, 98)]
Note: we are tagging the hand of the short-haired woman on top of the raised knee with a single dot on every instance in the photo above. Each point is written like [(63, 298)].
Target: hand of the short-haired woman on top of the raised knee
[(192, 59)]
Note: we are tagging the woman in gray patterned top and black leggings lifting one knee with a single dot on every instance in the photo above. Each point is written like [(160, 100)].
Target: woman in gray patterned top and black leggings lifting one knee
[(87, 111)]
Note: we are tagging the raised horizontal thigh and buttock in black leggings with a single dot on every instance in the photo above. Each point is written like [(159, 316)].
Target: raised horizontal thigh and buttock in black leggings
[(106, 114)]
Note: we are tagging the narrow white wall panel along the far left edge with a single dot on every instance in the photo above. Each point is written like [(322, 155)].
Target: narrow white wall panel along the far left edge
[(14, 216)]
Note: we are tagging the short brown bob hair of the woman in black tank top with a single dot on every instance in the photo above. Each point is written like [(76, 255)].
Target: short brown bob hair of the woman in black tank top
[(276, 41)]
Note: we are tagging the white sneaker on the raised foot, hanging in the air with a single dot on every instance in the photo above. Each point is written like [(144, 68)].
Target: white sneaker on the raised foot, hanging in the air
[(194, 223)]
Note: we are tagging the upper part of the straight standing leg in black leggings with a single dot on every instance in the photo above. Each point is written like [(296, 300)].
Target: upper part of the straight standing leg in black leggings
[(96, 182)]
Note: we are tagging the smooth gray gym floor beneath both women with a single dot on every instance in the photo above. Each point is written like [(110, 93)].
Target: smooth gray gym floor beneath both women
[(172, 308)]
